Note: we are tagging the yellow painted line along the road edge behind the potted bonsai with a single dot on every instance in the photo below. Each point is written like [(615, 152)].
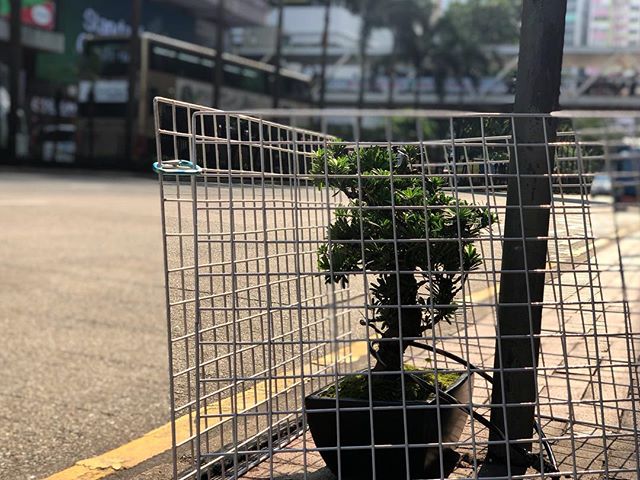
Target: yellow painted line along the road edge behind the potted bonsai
[(158, 441)]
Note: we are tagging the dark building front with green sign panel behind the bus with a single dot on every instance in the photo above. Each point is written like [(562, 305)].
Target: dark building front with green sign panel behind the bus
[(52, 40)]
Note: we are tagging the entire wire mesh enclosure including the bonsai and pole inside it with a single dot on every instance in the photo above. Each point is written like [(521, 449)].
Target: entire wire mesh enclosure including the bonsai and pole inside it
[(379, 294)]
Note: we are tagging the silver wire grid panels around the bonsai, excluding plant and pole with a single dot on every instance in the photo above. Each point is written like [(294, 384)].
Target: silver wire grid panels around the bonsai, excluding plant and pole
[(253, 328)]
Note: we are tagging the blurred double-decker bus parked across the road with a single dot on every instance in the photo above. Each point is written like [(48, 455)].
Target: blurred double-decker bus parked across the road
[(169, 68)]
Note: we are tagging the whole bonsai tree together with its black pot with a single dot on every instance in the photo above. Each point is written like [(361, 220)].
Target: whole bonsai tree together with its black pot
[(416, 243)]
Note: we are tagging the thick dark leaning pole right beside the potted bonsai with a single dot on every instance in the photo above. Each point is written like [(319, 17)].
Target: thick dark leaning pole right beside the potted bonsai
[(527, 220)]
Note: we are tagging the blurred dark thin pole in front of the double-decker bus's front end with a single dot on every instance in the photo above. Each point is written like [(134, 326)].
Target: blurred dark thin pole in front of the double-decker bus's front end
[(134, 65)]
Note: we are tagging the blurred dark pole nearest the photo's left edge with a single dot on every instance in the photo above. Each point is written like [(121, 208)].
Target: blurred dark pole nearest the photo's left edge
[(15, 64)]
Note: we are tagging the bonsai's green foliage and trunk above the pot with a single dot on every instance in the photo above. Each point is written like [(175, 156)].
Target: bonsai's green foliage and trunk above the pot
[(414, 240)]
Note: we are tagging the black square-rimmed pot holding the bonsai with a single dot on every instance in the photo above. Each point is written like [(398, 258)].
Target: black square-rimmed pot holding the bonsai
[(389, 434)]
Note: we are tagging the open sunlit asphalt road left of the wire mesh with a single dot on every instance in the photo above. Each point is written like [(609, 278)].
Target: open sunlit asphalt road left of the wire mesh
[(83, 358)]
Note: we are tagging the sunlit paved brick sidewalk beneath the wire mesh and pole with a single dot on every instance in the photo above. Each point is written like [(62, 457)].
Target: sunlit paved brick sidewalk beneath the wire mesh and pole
[(608, 384)]
